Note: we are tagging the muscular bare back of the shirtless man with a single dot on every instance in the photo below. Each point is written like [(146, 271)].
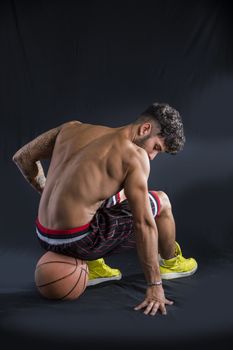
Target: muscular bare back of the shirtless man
[(88, 165)]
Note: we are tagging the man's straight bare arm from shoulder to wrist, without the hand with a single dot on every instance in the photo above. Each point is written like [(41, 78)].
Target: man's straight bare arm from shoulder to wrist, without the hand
[(136, 191)]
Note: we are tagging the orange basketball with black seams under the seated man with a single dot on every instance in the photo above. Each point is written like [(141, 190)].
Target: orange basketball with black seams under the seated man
[(59, 276)]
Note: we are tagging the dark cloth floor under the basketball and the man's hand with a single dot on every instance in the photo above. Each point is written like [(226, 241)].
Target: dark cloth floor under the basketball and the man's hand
[(202, 313)]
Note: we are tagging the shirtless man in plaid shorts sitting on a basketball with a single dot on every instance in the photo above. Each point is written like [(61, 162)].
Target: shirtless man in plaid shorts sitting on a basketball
[(92, 165)]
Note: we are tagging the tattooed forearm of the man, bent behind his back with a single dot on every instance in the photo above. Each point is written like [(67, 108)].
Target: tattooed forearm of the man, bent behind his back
[(32, 171)]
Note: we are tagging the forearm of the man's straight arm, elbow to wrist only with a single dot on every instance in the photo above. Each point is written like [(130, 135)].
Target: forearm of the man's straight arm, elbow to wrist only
[(147, 248)]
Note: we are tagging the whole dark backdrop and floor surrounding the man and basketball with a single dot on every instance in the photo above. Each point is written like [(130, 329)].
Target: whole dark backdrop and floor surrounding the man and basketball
[(104, 62)]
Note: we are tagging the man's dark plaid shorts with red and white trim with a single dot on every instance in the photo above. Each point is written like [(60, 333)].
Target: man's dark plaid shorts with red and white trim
[(110, 231)]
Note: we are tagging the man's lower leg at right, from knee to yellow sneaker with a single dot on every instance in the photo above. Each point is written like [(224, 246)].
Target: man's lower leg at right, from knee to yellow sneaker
[(172, 263)]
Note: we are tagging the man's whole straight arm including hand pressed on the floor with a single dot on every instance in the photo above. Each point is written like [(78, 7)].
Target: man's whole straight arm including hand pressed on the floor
[(146, 233)]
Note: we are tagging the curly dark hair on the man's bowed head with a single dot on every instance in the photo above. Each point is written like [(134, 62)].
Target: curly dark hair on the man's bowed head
[(170, 123)]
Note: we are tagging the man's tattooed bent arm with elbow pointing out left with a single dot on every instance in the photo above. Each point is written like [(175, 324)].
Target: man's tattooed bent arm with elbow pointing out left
[(28, 157)]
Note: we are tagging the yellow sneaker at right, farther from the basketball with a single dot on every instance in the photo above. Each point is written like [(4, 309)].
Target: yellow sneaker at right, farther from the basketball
[(177, 266)]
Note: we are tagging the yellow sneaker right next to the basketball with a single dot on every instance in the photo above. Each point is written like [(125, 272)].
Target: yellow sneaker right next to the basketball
[(100, 272)]
